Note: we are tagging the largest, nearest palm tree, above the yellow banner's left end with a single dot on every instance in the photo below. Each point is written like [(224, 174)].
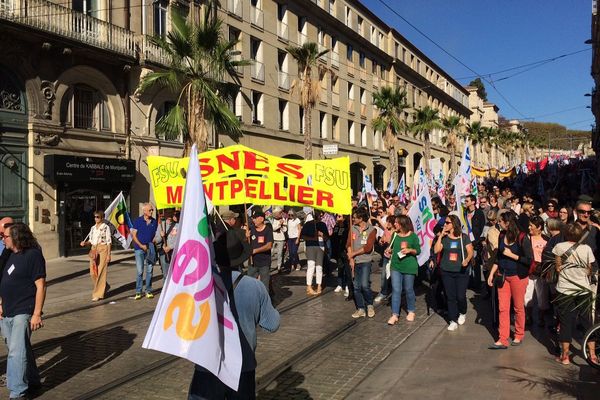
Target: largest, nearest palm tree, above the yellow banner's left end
[(200, 63)]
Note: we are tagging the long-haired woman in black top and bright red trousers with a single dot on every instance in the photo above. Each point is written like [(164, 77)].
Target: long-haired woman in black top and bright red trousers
[(510, 273)]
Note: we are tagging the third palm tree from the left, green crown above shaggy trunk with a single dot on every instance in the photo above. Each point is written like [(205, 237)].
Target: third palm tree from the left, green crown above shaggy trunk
[(391, 103)]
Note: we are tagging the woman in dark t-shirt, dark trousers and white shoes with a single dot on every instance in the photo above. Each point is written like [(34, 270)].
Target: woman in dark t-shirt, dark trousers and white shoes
[(456, 254)]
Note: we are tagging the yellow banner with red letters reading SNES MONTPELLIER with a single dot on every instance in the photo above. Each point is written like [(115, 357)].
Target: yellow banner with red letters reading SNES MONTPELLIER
[(238, 174)]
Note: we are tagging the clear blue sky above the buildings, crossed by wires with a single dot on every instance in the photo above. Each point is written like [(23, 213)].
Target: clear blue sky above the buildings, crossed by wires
[(494, 35)]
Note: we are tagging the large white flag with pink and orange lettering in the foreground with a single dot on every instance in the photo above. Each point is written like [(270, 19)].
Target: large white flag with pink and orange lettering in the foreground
[(193, 318)]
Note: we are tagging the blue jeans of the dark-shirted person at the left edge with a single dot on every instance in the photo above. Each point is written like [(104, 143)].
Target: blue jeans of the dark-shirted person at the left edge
[(21, 370)]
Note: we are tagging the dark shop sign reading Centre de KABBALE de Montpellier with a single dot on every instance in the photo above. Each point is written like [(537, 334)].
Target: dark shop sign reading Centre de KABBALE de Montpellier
[(63, 168)]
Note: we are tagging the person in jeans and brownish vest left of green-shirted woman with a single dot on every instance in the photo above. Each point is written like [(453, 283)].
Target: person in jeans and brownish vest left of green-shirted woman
[(360, 249)]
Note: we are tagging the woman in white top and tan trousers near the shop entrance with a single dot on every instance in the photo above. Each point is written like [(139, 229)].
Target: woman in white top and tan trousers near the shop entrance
[(100, 239)]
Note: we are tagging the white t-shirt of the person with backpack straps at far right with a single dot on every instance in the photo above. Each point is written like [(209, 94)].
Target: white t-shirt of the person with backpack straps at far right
[(574, 271)]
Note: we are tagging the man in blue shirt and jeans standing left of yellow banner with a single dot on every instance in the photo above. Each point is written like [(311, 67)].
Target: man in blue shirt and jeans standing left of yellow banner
[(143, 231)]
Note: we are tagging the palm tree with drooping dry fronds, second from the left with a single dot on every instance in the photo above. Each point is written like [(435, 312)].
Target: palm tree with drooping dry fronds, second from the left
[(307, 57)]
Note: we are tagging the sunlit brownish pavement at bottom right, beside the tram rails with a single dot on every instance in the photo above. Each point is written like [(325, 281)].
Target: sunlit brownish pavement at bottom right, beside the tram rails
[(435, 363)]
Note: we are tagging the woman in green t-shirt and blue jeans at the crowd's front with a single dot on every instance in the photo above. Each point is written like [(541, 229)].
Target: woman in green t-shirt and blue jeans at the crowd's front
[(403, 251)]
